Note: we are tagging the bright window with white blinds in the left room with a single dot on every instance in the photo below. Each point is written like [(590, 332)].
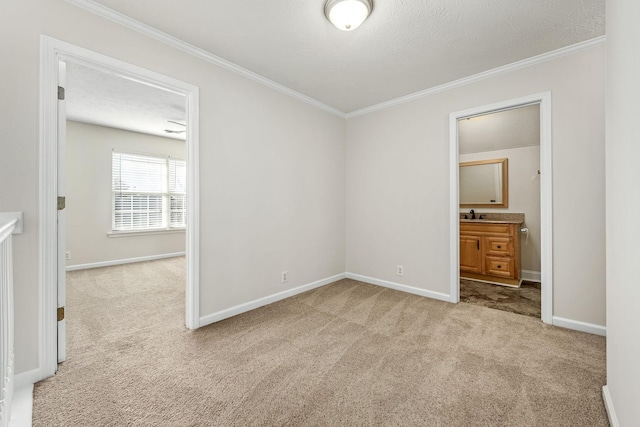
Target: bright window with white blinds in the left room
[(149, 192)]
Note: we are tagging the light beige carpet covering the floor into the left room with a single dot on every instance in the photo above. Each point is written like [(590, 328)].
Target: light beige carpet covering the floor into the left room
[(347, 354)]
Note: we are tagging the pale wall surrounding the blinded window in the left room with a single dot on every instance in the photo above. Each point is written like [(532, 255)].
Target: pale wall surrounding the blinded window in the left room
[(89, 198)]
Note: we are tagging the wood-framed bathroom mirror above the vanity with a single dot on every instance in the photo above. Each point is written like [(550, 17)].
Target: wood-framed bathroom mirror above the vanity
[(484, 184)]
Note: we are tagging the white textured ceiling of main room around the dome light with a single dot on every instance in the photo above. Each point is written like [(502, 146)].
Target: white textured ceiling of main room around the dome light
[(404, 47)]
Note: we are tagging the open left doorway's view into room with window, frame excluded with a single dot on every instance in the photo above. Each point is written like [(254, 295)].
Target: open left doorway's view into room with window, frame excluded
[(125, 152)]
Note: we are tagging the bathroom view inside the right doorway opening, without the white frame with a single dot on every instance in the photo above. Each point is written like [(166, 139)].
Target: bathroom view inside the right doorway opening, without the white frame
[(499, 191)]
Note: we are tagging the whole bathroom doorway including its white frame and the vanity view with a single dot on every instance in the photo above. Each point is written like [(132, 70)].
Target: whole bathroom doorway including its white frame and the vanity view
[(500, 212)]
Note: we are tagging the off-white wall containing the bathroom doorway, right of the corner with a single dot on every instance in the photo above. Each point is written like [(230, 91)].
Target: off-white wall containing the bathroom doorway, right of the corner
[(398, 182)]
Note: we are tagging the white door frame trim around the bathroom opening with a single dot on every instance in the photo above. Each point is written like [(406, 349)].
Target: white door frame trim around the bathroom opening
[(546, 194)]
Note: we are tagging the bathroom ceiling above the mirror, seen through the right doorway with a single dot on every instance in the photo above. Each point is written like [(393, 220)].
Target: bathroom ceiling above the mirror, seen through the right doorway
[(514, 128)]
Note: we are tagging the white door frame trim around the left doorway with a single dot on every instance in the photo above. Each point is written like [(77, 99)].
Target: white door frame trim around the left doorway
[(53, 51)]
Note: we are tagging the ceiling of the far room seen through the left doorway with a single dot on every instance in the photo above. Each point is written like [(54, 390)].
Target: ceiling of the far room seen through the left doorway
[(106, 99)]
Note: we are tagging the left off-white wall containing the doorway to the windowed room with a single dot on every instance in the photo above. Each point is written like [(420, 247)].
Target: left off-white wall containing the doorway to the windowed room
[(271, 167)]
